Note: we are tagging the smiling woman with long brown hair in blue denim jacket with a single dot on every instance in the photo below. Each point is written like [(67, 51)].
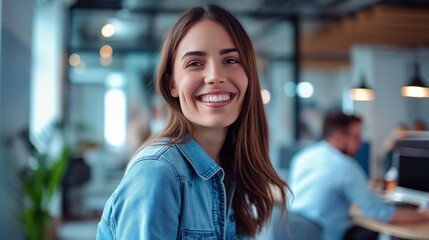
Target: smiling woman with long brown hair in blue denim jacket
[(207, 173)]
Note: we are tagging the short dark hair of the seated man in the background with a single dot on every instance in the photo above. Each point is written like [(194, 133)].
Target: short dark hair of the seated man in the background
[(338, 121)]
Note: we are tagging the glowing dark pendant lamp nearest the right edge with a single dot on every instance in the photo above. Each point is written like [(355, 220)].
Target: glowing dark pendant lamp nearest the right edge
[(416, 87)]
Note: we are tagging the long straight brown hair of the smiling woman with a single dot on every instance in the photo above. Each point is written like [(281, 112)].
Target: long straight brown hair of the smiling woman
[(244, 155)]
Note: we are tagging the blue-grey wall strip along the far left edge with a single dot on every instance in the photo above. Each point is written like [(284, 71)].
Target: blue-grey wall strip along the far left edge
[(15, 66)]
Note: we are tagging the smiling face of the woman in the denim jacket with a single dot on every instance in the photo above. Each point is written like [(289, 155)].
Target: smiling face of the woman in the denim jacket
[(208, 76)]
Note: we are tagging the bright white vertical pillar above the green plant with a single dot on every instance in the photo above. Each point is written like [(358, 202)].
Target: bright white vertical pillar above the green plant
[(47, 65)]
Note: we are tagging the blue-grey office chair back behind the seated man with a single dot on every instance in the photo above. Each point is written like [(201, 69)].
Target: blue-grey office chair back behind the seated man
[(292, 226)]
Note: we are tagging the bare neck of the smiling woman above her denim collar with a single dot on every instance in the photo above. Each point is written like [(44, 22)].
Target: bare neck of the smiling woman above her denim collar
[(211, 140)]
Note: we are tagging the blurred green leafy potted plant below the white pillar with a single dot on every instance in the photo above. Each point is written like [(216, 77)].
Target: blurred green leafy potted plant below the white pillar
[(40, 179)]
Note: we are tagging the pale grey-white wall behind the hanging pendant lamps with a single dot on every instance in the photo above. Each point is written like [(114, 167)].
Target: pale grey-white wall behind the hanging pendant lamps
[(388, 69)]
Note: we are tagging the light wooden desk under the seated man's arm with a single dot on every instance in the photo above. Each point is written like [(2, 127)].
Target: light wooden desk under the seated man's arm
[(419, 230)]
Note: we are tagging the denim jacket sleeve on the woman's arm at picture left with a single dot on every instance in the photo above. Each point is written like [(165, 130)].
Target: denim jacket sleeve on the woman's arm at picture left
[(147, 203)]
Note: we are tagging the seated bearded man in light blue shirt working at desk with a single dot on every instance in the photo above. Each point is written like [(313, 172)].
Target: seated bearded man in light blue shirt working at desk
[(326, 180)]
